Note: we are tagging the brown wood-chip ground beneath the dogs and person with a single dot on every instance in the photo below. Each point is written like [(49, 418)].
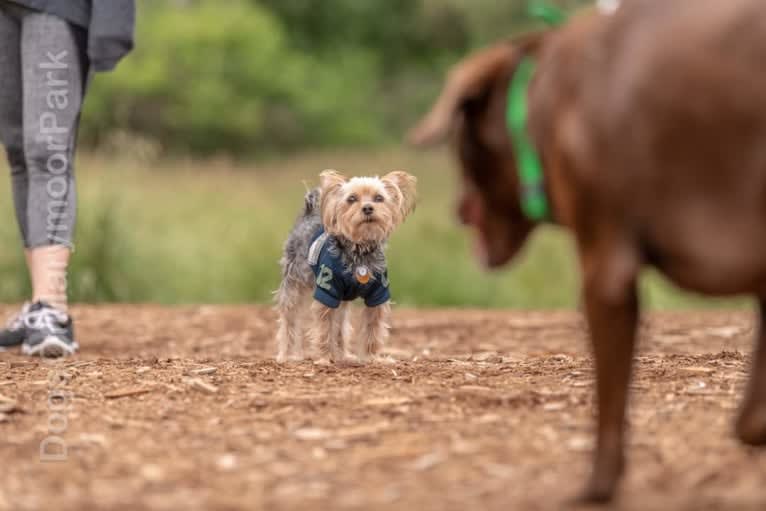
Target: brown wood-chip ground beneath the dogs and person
[(184, 408)]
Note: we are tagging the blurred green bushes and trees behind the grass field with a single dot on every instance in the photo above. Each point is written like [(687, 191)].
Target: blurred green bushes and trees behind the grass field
[(259, 77)]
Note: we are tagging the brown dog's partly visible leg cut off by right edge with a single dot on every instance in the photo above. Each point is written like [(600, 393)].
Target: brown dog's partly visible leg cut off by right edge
[(751, 425)]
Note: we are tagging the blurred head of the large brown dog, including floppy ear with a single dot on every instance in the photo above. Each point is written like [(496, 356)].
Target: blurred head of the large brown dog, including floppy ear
[(472, 106)]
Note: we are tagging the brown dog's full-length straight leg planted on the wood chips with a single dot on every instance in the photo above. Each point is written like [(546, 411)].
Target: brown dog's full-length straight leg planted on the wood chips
[(611, 305)]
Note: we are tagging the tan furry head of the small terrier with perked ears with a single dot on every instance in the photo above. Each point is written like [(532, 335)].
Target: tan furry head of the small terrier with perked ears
[(366, 209)]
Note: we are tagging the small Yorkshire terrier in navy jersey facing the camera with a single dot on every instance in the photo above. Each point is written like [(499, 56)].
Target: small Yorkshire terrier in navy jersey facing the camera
[(335, 254)]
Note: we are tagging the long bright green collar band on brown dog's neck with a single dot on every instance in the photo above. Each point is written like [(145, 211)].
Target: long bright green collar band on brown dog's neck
[(534, 203)]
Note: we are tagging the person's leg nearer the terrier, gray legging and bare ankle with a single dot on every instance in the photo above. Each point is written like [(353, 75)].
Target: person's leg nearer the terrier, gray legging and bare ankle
[(54, 68)]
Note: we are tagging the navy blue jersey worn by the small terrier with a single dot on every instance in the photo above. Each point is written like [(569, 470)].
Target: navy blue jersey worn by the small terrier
[(335, 283)]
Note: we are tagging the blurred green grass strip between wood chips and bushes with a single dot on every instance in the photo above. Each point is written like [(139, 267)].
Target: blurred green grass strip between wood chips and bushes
[(187, 231)]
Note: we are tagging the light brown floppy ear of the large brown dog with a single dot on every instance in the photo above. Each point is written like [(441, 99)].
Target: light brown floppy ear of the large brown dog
[(467, 80)]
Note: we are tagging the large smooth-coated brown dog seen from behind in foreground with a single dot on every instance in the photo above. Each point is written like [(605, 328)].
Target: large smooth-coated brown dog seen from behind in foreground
[(651, 128)]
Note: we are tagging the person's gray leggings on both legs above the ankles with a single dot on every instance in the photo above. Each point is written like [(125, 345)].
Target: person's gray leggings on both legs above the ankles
[(43, 71)]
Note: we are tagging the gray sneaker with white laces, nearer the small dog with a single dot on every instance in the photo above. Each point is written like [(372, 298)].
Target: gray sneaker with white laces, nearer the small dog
[(49, 332)]
